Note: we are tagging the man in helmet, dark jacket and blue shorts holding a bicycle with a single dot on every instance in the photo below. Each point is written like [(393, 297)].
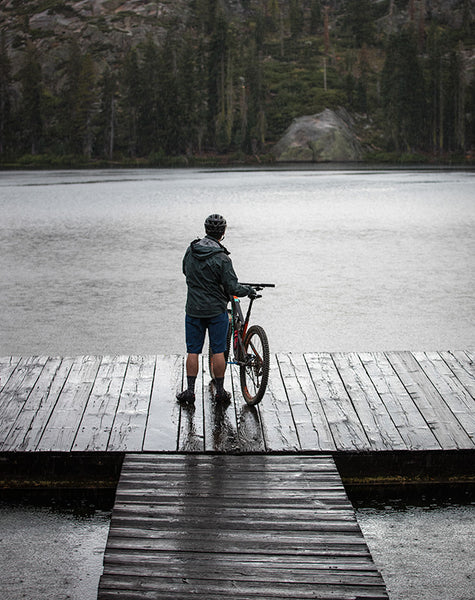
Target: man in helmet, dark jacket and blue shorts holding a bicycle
[(211, 280)]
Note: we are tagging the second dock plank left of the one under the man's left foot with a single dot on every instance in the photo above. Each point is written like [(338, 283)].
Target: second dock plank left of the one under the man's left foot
[(128, 429)]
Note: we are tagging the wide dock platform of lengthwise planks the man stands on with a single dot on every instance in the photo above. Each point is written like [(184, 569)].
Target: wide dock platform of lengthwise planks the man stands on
[(317, 402)]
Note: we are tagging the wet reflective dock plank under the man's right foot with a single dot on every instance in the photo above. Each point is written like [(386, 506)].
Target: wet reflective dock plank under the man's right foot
[(220, 426)]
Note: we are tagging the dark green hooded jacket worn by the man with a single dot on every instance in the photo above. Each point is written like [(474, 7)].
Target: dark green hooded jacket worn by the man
[(210, 278)]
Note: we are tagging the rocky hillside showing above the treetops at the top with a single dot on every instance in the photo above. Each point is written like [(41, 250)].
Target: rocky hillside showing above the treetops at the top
[(108, 27)]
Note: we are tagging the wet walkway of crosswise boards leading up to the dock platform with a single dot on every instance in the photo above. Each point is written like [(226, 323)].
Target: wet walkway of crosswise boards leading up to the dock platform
[(237, 527)]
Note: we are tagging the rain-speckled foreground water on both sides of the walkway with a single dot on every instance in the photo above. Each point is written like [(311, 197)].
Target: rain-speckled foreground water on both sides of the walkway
[(424, 552)]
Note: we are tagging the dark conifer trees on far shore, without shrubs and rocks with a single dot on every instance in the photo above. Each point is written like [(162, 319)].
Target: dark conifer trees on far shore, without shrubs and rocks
[(206, 87)]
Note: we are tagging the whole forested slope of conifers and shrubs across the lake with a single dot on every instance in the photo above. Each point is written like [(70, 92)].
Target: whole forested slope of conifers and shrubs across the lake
[(222, 83)]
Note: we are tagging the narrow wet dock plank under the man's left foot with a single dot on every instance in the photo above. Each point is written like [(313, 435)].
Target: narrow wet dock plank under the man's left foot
[(191, 428)]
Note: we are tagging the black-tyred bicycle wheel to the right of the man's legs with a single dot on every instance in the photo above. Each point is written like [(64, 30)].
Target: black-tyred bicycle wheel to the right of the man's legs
[(255, 370)]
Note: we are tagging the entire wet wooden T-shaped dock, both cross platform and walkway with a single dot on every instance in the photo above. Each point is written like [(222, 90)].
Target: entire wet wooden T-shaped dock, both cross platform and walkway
[(229, 500)]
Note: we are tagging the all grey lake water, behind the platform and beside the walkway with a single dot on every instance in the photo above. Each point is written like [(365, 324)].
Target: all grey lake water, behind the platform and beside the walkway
[(90, 262)]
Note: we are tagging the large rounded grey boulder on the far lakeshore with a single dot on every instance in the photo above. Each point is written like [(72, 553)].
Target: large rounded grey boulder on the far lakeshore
[(326, 137)]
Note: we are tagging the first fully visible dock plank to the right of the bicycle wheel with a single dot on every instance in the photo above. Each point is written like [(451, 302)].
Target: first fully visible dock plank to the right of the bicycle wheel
[(312, 428)]
